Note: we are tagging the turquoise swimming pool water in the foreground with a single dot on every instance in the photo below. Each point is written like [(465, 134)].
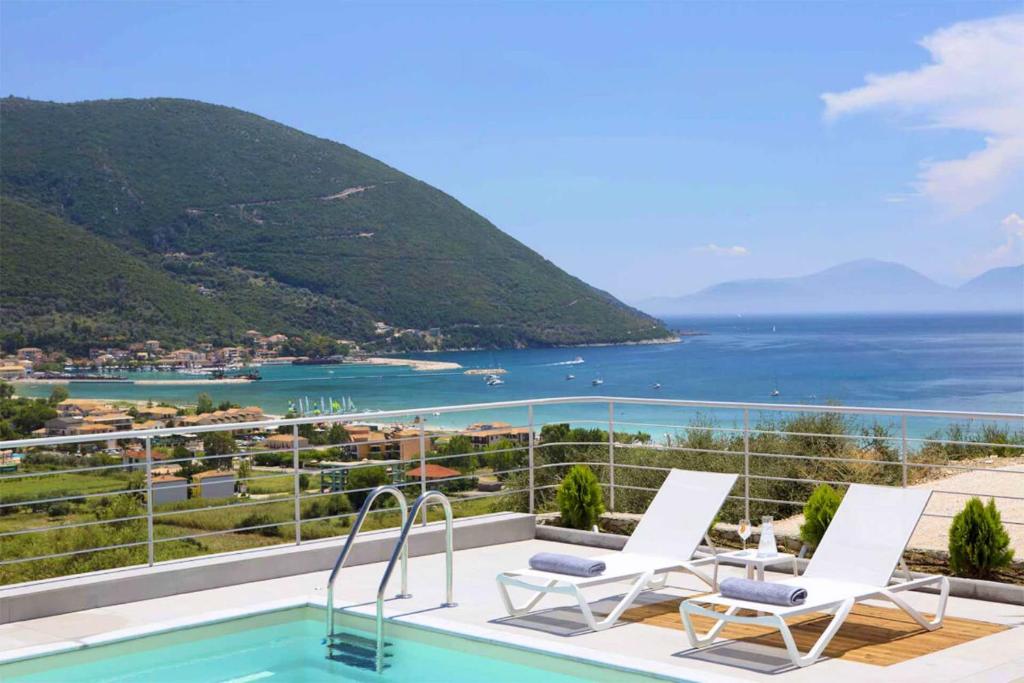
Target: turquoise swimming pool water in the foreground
[(286, 647)]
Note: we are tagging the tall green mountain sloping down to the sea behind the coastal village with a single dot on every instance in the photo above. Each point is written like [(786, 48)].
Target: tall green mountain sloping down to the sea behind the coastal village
[(272, 229)]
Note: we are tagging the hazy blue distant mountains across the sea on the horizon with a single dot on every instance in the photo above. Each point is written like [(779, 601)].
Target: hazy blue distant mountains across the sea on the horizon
[(865, 286)]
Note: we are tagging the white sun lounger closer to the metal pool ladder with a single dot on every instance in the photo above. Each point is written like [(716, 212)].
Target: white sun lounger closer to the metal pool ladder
[(665, 541)]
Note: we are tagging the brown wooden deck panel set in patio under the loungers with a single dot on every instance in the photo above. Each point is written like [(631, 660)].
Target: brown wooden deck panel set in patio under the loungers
[(873, 635)]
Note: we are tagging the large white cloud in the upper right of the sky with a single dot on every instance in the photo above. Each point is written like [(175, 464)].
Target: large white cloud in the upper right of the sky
[(975, 82)]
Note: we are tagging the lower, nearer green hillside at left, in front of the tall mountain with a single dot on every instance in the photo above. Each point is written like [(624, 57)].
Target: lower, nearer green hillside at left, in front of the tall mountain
[(60, 282)]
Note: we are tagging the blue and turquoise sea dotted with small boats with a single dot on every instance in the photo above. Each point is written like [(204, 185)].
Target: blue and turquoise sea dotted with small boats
[(972, 363)]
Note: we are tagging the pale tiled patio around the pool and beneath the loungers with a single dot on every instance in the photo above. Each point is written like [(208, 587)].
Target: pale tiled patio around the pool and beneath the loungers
[(657, 651)]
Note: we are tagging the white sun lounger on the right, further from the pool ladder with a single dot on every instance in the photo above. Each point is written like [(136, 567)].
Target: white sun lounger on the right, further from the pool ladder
[(855, 562)]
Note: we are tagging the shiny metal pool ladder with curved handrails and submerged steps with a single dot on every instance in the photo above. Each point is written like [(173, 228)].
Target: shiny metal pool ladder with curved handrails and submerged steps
[(361, 652)]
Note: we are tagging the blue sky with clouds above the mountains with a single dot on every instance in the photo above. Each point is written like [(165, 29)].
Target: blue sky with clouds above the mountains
[(649, 149)]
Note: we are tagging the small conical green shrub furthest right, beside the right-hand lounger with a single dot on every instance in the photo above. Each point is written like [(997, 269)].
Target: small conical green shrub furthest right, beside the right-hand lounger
[(978, 541)]
